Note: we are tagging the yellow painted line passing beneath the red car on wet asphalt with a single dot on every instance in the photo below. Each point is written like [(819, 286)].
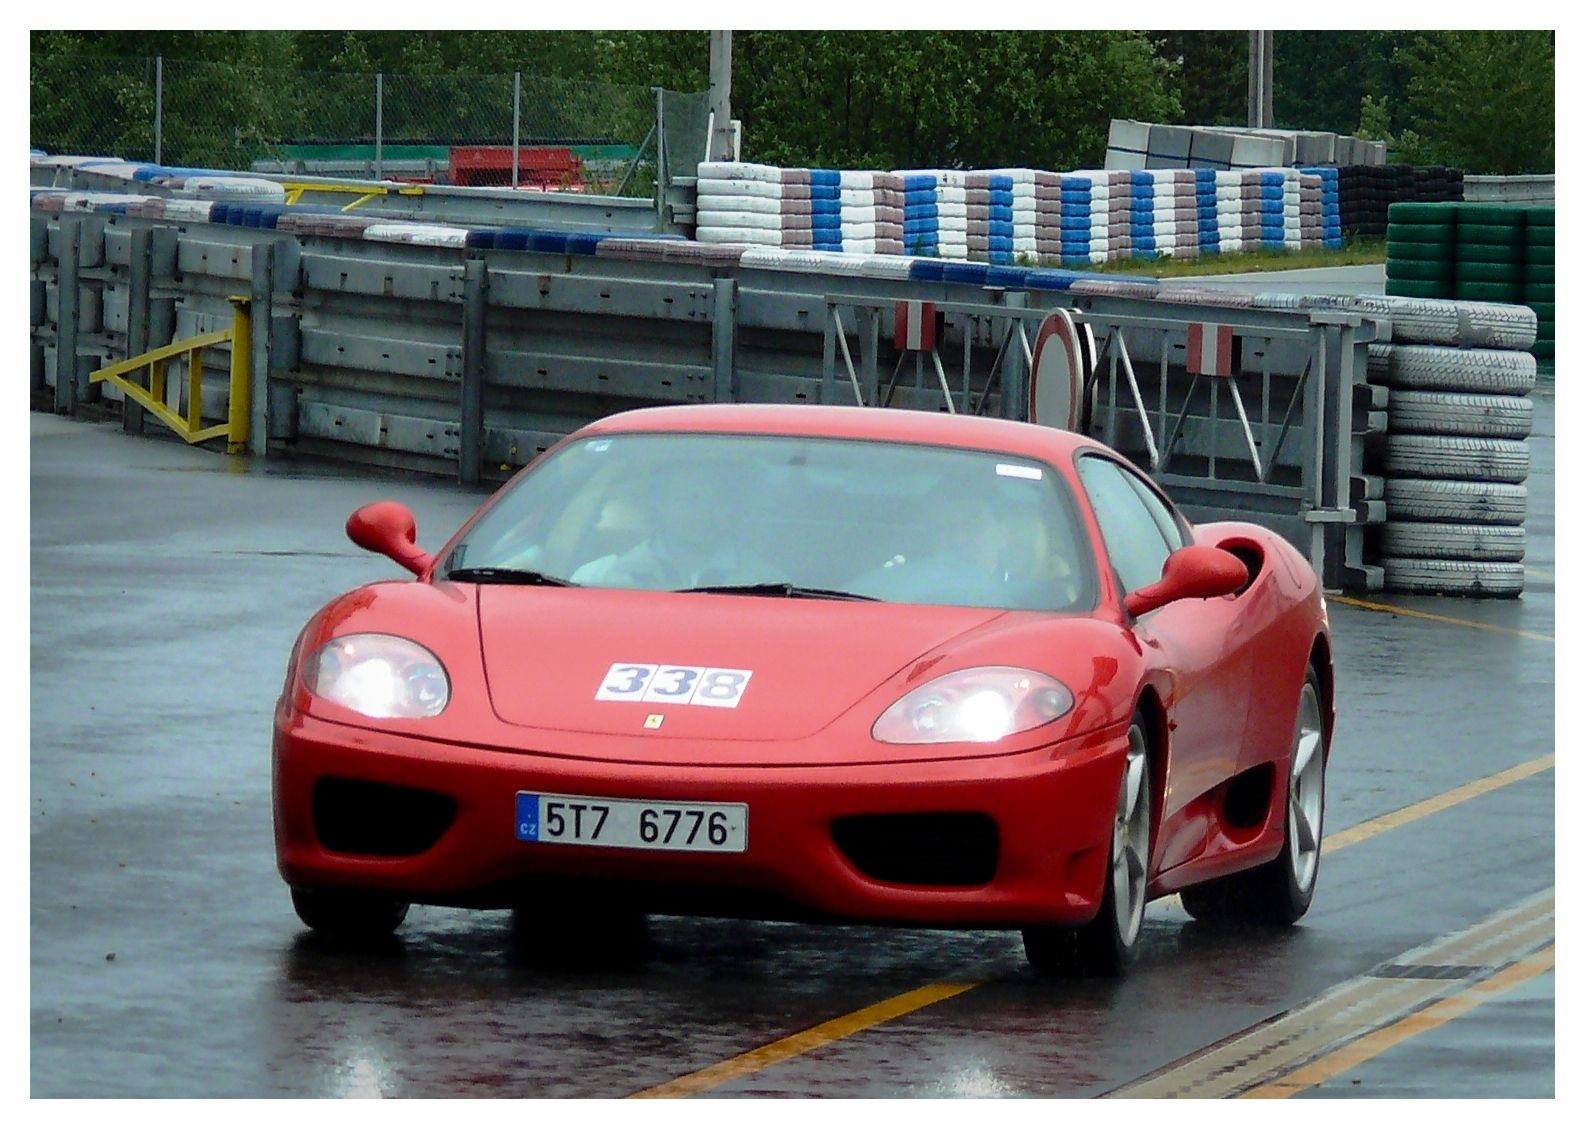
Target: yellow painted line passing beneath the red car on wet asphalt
[(890, 1009)]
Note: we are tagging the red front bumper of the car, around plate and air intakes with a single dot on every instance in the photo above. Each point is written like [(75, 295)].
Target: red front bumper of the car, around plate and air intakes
[(1053, 813)]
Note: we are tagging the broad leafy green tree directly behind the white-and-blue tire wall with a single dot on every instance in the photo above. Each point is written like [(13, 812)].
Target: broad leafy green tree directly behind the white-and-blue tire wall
[(944, 99)]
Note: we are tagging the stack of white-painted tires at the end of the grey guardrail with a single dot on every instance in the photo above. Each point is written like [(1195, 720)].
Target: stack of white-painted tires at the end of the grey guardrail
[(1456, 457)]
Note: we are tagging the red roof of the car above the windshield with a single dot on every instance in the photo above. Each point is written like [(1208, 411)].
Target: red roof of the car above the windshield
[(839, 423)]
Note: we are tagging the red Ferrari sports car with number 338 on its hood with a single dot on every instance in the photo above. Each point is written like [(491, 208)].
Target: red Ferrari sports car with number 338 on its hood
[(815, 664)]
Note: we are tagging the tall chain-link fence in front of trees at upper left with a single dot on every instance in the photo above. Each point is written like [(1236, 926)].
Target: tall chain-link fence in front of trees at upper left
[(441, 129)]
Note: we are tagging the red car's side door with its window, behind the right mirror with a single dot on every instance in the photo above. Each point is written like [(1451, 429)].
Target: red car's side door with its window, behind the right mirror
[(1194, 648)]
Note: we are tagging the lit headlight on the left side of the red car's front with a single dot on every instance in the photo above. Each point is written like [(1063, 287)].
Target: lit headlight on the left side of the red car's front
[(380, 676)]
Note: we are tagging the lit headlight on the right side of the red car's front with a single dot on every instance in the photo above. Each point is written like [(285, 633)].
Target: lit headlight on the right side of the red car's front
[(983, 703)]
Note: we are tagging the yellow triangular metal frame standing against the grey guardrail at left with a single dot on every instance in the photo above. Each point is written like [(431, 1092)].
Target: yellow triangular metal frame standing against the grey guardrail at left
[(191, 426)]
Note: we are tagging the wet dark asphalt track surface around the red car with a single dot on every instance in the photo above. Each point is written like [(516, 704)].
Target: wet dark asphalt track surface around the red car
[(167, 587)]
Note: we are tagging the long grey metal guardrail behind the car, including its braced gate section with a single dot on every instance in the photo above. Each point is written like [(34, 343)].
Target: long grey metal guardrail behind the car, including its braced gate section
[(468, 362)]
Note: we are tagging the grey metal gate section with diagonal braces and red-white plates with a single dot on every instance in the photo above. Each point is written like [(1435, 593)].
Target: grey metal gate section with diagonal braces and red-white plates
[(1278, 442)]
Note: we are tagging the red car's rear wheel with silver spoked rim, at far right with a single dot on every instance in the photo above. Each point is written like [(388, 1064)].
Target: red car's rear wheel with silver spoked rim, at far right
[(1280, 892)]
